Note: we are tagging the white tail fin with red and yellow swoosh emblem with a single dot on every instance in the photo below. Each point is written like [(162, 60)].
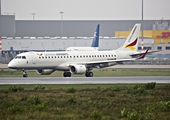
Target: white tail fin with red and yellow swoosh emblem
[(131, 43)]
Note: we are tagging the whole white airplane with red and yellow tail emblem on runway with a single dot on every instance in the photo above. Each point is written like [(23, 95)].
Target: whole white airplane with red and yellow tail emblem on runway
[(78, 62)]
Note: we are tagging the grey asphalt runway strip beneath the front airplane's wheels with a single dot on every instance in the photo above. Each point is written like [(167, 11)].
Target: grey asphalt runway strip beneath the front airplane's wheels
[(85, 80)]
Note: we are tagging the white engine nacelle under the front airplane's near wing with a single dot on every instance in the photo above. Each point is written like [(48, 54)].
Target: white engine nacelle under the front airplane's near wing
[(78, 69)]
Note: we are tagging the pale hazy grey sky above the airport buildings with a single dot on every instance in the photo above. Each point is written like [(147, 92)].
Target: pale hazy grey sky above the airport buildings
[(87, 9)]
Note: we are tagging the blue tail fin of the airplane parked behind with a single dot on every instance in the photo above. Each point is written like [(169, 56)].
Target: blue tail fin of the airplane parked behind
[(95, 42)]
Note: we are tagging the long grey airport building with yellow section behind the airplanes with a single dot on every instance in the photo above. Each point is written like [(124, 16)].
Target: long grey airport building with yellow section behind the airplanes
[(48, 35)]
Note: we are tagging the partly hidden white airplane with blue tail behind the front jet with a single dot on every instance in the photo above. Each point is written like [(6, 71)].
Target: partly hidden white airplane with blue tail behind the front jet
[(94, 45)]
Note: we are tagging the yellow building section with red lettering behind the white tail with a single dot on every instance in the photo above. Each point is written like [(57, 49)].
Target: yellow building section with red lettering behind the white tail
[(159, 36)]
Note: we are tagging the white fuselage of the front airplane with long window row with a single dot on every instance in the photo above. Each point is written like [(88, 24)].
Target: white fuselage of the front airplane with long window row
[(62, 60)]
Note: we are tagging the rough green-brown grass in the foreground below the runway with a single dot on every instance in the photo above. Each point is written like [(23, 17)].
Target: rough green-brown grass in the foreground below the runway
[(87, 102)]
